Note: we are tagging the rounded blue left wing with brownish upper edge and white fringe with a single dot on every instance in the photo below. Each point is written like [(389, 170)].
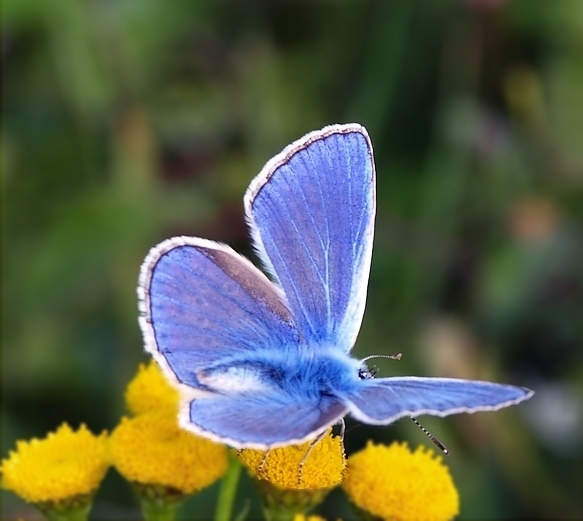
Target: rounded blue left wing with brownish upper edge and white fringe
[(203, 304)]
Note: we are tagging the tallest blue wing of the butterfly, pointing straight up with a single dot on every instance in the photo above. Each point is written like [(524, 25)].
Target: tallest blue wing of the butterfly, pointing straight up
[(311, 214)]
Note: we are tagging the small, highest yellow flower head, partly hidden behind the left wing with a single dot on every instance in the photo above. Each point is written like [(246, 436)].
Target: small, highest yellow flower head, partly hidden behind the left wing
[(150, 390)]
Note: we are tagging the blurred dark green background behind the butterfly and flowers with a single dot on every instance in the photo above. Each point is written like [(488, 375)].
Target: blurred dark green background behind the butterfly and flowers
[(126, 122)]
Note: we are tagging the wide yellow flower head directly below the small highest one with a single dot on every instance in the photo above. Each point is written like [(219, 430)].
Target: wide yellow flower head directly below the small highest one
[(152, 449)]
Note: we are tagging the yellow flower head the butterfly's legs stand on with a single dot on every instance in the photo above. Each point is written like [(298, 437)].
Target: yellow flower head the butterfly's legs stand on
[(325, 466)]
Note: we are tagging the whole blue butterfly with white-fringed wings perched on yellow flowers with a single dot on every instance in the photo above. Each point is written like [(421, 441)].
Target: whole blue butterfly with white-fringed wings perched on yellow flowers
[(265, 363)]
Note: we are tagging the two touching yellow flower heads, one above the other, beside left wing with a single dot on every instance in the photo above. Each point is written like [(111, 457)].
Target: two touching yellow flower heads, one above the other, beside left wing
[(151, 449)]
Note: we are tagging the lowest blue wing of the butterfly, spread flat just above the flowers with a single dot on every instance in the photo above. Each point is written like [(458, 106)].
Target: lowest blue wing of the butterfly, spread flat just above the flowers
[(260, 420)]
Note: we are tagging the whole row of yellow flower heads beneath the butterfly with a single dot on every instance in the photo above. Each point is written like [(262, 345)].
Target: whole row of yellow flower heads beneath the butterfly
[(150, 450)]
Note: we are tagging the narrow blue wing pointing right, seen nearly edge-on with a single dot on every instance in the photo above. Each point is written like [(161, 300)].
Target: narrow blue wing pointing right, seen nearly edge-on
[(385, 400)]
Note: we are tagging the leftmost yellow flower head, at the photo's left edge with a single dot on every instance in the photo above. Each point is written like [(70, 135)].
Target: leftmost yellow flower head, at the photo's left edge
[(64, 465)]
